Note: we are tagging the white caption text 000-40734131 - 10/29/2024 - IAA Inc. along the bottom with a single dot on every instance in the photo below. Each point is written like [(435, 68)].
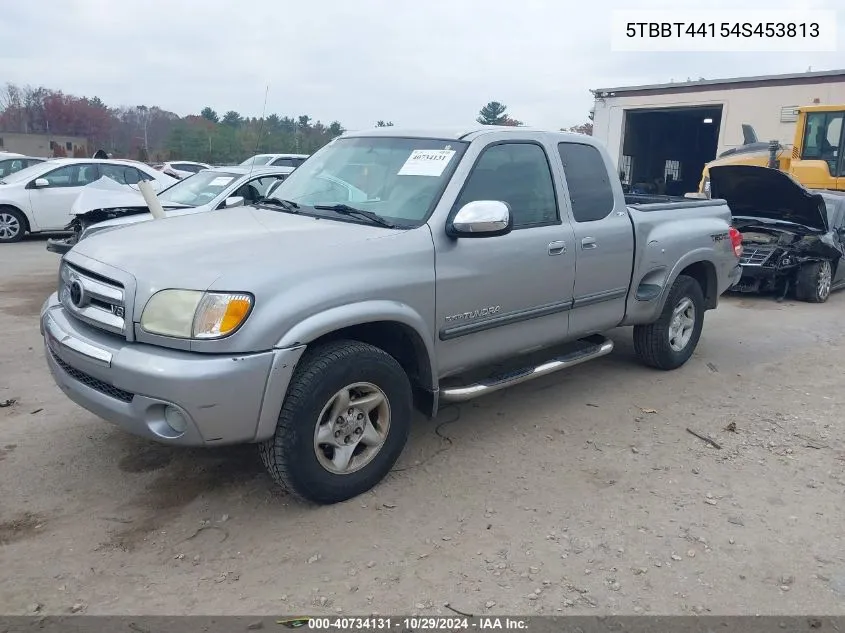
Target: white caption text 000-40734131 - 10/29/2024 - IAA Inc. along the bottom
[(421, 623)]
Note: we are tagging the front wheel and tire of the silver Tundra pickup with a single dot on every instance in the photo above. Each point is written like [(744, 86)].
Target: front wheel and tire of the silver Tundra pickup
[(303, 464)]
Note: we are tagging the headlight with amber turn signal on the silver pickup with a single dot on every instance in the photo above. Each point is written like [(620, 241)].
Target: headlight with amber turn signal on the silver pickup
[(195, 314)]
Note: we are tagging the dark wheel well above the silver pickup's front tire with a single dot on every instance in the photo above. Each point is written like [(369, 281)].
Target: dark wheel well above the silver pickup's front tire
[(404, 344)]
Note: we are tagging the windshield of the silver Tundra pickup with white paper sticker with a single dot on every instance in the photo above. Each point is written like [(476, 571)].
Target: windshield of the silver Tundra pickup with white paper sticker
[(399, 179)]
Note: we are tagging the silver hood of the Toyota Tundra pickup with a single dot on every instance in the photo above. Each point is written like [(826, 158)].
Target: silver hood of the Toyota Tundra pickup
[(192, 251)]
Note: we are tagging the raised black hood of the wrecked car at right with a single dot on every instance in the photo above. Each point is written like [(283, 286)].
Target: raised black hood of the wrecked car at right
[(761, 192)]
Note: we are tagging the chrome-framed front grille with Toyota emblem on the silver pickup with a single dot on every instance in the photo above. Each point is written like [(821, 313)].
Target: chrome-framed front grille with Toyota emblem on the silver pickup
[(92, 298)]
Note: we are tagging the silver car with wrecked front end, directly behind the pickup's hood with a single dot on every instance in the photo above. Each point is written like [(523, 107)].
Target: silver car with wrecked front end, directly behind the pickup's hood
[(209, 189)]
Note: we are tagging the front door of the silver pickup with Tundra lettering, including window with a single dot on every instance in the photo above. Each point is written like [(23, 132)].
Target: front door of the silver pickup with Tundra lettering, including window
[(498, 297)]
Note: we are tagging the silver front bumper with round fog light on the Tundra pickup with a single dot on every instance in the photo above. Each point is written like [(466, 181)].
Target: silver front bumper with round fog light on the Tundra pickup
[(144, 389)]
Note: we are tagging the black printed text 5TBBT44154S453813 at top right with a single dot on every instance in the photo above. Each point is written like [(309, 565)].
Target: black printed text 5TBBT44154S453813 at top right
[(722, 29)]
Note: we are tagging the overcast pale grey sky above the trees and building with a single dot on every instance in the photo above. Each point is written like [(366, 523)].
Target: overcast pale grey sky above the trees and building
[(431, 63)]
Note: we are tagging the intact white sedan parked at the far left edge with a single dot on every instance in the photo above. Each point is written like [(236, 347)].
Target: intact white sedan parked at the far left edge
[(39, 198)]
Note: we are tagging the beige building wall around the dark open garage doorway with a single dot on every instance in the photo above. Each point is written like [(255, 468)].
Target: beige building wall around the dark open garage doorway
[(760, 106)]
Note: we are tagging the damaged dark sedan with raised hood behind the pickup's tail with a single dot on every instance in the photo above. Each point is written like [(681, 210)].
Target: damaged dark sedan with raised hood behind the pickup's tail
[(793, 237)]
